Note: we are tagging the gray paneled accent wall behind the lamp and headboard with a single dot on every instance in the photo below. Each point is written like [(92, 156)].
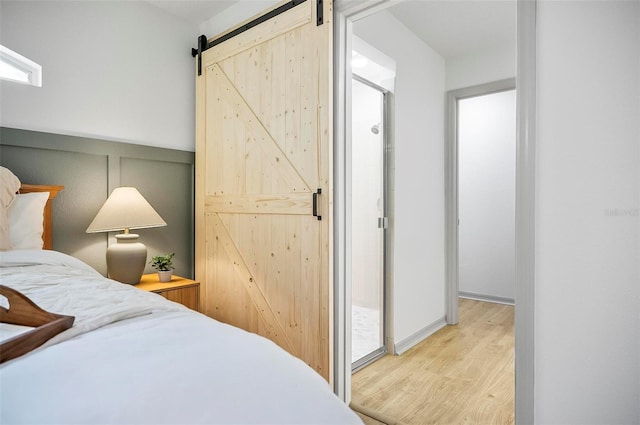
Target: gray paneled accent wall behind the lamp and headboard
[(90, 169)]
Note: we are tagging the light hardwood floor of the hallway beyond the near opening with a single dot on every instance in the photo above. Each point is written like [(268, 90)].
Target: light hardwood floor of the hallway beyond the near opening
[(462, 374)]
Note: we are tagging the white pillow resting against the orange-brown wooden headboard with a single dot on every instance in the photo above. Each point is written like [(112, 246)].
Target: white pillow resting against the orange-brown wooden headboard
[(25, 216)]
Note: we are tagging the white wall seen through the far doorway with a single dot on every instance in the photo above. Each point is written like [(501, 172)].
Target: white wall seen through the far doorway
[(486, 193)]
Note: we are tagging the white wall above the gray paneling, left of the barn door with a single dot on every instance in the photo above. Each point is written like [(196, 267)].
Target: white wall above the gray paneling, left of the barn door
[(112, 70)]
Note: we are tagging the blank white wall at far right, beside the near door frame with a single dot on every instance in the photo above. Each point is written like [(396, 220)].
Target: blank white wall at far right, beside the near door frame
[(587, 311)]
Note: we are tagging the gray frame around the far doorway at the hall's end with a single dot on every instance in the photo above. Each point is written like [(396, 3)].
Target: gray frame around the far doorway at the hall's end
[(451, 173)]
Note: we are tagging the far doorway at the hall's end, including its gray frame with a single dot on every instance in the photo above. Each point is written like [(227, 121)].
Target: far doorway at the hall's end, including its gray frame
[(481, 164)]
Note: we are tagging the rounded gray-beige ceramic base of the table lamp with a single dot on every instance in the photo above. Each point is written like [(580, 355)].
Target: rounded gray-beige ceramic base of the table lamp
[(126, 259)]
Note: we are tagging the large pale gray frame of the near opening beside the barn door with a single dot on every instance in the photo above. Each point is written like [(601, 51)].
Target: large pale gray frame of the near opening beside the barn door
[(345, 13)]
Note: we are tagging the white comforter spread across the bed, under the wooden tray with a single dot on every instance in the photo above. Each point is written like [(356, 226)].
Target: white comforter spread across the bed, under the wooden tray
[(132, 357)]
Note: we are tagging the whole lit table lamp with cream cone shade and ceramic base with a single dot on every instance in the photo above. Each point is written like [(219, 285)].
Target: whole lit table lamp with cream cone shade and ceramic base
[(126, 209)]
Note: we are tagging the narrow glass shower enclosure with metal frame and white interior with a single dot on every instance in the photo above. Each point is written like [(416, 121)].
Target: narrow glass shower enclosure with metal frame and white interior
[(368, 221)]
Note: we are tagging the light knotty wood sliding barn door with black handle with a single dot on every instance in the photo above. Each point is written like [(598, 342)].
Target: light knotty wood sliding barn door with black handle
[(263, 149)]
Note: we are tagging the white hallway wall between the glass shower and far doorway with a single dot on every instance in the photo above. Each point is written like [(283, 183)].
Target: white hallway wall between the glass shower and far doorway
[(418, 173)]
